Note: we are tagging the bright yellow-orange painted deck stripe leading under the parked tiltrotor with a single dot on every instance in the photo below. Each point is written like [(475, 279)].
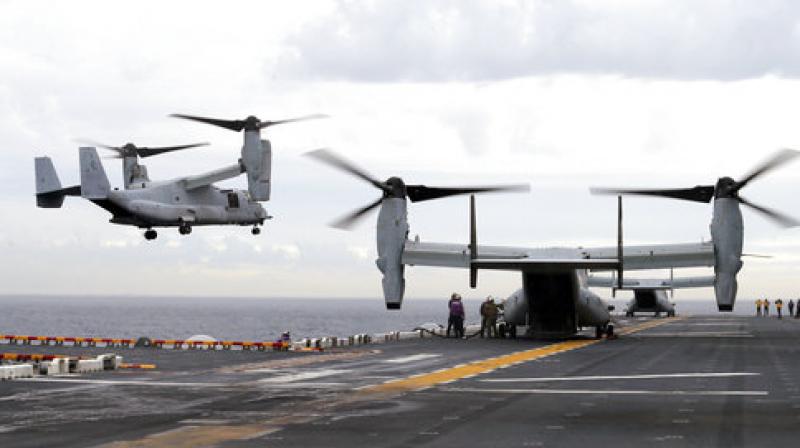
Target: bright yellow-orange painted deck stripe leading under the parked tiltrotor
[(417, 382)]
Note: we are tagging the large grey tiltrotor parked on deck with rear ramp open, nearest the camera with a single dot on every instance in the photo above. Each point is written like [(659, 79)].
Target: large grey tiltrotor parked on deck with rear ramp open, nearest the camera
[(555, 300)]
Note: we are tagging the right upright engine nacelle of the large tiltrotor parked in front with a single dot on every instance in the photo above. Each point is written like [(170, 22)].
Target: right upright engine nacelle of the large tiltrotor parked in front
[(727, 233)]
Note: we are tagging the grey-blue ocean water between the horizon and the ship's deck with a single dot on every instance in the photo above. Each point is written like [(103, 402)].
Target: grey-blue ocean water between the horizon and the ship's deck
[(239, 318)]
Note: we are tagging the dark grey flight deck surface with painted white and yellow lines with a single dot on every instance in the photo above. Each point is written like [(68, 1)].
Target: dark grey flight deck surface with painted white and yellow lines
[(701, 381)]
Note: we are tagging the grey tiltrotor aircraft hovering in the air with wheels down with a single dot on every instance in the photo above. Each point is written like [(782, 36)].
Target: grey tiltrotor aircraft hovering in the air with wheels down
[(183, 202)]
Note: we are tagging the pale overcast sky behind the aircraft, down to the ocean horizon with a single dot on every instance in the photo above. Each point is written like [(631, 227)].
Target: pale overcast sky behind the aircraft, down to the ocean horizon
[(561, 94)]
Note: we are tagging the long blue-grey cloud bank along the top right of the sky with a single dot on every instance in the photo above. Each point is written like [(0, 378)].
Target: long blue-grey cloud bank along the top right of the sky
[(491, 40)]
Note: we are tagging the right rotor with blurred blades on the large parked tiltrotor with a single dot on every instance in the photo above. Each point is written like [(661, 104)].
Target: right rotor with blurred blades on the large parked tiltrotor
[(726, 187)]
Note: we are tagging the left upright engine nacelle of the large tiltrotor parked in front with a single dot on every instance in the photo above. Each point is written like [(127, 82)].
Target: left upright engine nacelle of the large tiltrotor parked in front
[(392, 231)]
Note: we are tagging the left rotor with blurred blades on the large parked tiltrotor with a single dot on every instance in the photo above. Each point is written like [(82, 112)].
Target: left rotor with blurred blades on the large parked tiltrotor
[(394, 187)]
